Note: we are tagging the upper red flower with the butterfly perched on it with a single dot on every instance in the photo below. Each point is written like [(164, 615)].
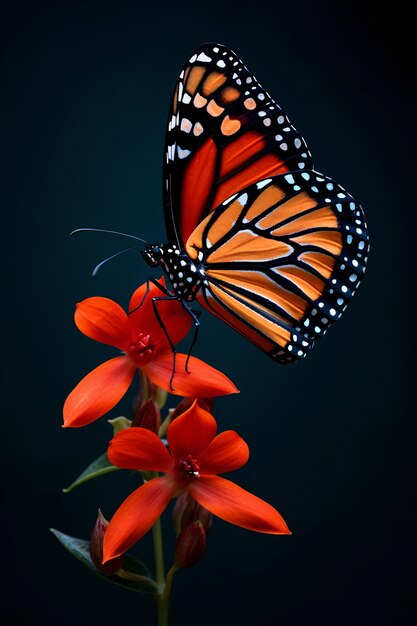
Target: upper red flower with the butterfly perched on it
[(145, 347)]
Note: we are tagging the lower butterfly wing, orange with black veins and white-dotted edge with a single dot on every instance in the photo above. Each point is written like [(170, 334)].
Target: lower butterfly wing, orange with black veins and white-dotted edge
[(282, 259)]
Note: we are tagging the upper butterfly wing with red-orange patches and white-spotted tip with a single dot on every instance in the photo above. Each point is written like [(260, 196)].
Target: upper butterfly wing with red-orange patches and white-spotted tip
[(224, 133)]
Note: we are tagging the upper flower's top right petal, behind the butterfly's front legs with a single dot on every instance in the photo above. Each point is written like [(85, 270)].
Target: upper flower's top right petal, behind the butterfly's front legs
[(176, 319)]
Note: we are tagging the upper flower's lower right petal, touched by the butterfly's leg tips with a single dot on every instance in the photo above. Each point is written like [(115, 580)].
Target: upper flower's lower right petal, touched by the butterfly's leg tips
[(201, 380)]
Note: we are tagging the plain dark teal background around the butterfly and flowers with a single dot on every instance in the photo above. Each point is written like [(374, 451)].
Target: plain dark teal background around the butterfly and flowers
[(85, 90)]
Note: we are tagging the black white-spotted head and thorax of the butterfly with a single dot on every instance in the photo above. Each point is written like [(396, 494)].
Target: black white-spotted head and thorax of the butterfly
[(185, 276)]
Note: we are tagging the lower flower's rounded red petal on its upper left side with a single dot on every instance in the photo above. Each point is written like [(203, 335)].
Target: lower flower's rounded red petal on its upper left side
[(140, 449)]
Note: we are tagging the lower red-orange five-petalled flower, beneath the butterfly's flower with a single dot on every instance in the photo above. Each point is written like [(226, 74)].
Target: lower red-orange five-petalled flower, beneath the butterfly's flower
[(196, 456)]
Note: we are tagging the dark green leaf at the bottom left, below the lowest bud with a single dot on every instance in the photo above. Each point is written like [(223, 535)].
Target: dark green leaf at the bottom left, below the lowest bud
[(79, 548)]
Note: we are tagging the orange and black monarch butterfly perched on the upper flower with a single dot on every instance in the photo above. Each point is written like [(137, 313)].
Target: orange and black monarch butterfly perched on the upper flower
[(255, 235)]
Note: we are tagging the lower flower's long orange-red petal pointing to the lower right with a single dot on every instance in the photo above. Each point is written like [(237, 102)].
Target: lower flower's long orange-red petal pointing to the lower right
[(237, 506)]
